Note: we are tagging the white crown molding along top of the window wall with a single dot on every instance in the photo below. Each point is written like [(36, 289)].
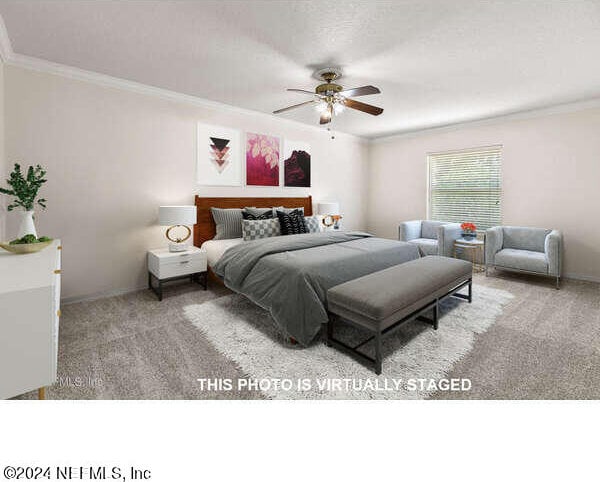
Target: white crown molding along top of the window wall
[(562, 108)]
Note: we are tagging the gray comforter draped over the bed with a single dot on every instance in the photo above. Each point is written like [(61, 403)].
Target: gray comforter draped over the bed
[(289, 275)]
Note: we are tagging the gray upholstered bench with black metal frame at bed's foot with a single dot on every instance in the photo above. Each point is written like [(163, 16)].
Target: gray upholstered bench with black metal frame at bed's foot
[(380, 302)]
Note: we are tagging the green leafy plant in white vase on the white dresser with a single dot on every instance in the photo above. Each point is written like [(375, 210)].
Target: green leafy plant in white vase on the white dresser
[(25, 188)]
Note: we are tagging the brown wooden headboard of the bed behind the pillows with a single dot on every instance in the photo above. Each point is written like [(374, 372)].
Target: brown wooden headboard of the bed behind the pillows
[(206, 229)]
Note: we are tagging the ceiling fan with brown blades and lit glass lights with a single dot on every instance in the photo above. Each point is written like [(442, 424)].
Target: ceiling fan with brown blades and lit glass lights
[(331, 99)]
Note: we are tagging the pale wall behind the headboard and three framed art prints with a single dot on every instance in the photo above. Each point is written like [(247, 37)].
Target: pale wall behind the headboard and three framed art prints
[(114, 156)]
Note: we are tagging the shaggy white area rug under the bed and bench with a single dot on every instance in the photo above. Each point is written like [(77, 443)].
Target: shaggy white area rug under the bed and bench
[(248, 336)]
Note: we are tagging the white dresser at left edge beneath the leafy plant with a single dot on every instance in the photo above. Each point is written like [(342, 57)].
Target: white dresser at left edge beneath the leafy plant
[(29, 315)]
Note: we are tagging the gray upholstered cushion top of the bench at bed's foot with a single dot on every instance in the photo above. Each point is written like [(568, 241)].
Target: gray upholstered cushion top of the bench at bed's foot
[(380, 299)]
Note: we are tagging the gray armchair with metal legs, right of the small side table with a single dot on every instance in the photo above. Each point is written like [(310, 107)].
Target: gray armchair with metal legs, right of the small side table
[(531, 250)]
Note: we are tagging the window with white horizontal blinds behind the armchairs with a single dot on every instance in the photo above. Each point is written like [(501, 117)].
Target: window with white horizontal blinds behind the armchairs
[(466, 186)]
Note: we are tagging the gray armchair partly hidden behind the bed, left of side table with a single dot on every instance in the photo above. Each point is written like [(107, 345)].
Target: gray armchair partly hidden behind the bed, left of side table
[(432, 237)]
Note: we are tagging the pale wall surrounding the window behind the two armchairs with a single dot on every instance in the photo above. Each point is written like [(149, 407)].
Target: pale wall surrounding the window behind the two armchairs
[(550, 174)]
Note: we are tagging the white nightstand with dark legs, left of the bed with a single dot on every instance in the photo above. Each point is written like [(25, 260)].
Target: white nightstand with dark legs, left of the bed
[(164, 266)]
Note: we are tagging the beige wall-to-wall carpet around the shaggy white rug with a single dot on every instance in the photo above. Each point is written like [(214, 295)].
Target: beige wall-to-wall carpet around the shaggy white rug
[(544, 344)]
